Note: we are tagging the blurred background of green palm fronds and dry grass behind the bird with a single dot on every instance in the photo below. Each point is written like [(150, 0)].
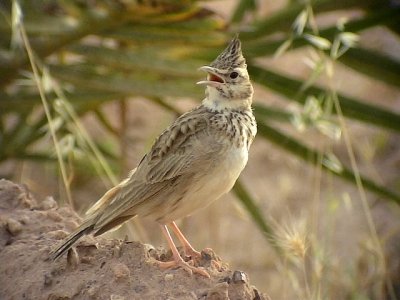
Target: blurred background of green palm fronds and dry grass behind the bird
[(86, 86)]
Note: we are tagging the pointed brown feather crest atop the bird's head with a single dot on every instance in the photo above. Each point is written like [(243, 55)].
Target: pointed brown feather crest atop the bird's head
[(231, 57)]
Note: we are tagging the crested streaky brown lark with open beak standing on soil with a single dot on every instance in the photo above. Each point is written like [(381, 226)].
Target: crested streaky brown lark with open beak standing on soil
[(196, 160)]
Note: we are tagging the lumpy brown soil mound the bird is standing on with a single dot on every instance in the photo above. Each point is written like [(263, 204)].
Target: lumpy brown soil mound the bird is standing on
[(98, 268)]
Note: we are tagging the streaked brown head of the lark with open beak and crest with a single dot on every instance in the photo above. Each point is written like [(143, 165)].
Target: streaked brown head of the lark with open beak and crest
[(228, 83)]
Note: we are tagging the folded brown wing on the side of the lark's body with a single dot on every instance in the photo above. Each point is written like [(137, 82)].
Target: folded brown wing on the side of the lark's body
[(173, 154)]
